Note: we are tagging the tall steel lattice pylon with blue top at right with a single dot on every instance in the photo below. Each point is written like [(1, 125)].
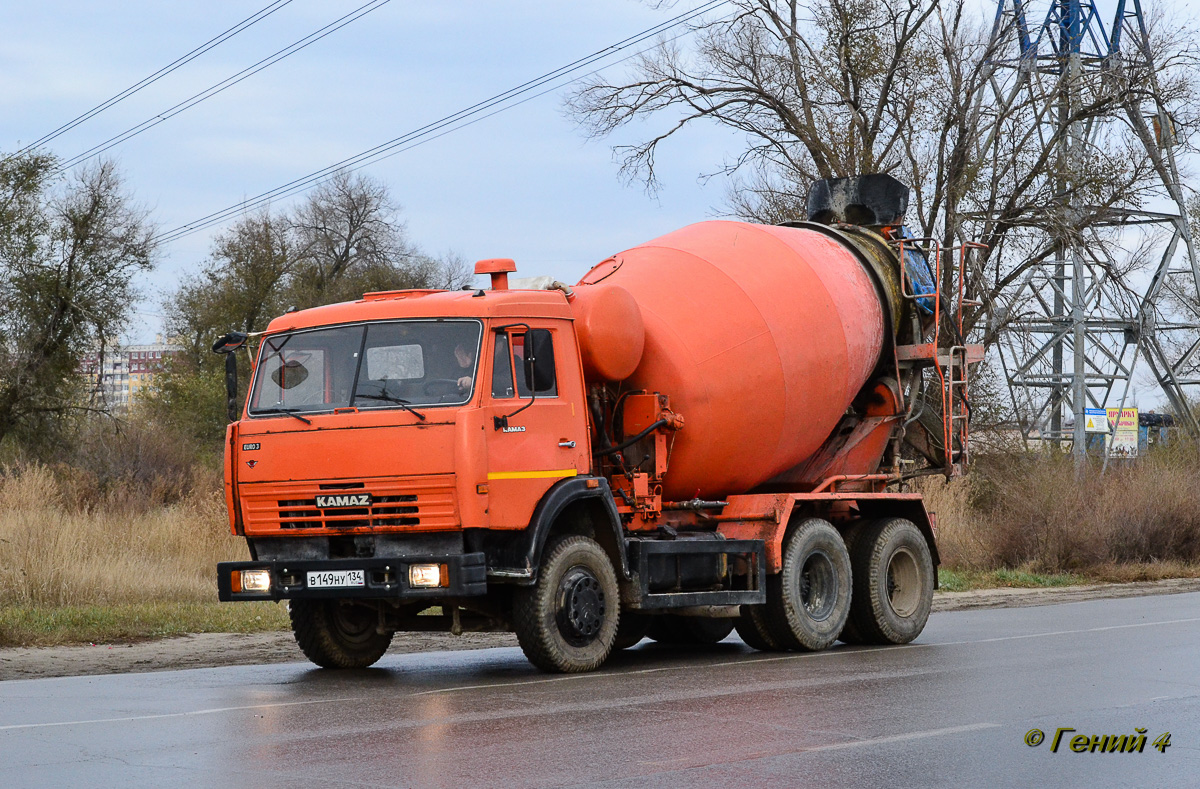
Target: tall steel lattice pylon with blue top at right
[(1075, 330)]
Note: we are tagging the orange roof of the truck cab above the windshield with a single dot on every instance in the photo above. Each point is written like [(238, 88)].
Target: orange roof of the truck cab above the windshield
[(395, 305)]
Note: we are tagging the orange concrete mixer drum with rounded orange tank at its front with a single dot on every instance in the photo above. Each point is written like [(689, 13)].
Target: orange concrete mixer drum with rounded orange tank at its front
[(761, 336)]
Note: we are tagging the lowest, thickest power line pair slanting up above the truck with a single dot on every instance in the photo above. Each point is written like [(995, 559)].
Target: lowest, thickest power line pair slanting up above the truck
[(435, 130)]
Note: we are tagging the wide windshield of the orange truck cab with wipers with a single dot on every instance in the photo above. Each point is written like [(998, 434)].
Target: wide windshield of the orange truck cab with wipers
[(382, 365)]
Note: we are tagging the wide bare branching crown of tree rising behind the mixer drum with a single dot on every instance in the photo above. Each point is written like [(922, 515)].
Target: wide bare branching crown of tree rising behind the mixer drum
[(914, 88)]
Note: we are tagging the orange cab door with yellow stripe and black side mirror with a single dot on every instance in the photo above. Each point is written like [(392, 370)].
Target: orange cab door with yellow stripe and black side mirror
[(538, 432)]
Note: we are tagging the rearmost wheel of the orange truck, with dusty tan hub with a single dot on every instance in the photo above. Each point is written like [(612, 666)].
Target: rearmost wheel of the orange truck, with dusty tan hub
[(893, 582)]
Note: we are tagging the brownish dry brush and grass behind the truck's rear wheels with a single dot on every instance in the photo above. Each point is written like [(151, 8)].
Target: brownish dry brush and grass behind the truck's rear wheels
[(1035, 515)]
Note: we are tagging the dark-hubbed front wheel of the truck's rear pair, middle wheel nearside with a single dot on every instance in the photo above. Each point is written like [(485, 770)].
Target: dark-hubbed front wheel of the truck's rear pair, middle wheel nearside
[(808, 603)]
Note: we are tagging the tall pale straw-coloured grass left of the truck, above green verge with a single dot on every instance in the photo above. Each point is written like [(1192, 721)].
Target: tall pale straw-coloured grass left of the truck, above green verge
[(55, 552)]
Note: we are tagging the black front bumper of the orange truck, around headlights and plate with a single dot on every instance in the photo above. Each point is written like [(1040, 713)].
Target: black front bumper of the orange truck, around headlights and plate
[(385, 579)]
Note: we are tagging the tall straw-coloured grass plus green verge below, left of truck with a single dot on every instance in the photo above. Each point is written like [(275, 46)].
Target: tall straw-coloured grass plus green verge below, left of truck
[(89, 557)]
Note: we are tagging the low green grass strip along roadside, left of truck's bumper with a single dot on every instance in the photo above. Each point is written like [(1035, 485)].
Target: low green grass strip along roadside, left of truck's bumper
[(53, 627)]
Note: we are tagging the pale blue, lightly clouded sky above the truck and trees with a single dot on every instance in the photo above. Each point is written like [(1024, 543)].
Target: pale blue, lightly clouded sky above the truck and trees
[(524, 184)]
